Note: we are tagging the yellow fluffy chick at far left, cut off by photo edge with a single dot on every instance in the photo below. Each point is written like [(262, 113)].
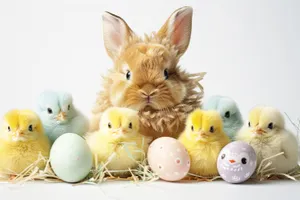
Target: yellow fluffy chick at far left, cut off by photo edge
[(22, 138)]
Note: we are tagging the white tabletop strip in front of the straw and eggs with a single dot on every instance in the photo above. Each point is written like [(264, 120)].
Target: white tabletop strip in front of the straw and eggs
[(151, 191)]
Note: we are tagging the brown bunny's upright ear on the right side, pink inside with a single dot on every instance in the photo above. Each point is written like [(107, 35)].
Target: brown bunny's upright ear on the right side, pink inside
[(178, 29)]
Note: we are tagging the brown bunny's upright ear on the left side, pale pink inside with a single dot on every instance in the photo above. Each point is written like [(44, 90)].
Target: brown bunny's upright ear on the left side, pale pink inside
[(115, 34)]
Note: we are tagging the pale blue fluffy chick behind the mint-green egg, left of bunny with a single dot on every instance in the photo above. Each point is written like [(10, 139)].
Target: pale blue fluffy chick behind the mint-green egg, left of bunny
[(59, 116)]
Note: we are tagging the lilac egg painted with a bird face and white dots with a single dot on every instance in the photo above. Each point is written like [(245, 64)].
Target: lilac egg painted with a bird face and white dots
[(236, 162)]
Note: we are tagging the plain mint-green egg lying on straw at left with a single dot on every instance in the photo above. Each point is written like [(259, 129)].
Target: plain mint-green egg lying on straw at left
[(71, 158)]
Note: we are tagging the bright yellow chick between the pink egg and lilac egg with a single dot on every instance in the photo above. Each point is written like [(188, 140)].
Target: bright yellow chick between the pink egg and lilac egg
[(204, 138)]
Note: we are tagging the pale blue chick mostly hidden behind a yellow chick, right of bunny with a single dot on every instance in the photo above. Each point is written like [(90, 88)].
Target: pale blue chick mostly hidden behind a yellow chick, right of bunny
[(228, 109)]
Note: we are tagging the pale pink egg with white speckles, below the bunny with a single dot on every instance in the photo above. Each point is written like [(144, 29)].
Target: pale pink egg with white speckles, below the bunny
[(169, 159)]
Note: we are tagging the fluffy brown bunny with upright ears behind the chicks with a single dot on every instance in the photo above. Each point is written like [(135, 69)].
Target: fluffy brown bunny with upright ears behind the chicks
[(146, 77)]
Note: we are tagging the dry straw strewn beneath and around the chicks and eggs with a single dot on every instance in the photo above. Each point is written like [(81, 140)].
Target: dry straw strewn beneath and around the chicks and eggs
[(143, 173)]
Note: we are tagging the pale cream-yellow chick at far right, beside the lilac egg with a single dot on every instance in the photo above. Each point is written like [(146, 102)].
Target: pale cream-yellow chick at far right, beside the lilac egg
[(266, 133)]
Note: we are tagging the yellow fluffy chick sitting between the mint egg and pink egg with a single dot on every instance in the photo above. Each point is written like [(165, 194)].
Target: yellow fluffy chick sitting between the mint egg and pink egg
[(118, 142)]
